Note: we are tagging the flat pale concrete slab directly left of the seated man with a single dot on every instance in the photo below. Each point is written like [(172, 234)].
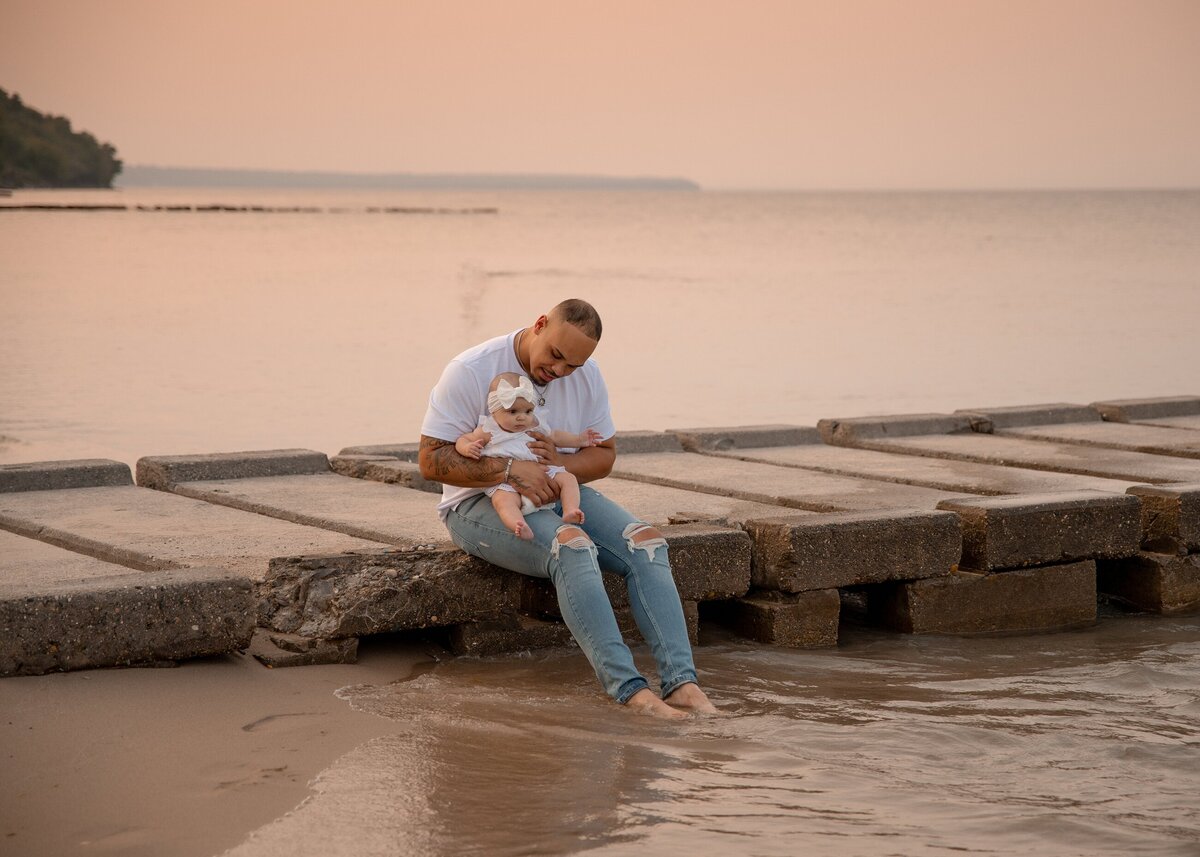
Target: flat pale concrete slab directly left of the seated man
[(389, 514)]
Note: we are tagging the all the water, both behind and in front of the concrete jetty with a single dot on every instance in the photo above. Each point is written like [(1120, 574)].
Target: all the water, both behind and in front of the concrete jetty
[(131, 334)]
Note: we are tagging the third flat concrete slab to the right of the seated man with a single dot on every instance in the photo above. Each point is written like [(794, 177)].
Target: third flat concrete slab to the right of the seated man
[(945, 475)]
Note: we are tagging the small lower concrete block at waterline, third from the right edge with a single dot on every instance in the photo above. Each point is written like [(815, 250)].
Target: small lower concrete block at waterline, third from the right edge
[(807, 620)]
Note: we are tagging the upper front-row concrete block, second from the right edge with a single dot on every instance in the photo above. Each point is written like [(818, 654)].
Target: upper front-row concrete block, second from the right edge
[(1040, 530)]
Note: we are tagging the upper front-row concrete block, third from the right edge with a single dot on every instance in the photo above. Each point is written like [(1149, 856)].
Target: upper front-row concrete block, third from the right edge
[(795, 554)]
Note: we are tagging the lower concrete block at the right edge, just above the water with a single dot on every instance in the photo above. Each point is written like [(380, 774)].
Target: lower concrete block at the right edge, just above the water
[(1157, 583)]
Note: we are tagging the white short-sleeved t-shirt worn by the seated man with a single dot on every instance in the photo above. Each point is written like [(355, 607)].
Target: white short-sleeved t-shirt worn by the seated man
[(574, 404)]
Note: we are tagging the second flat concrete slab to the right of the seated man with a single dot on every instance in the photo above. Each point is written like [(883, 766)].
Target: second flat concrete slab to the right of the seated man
[(784, 487)]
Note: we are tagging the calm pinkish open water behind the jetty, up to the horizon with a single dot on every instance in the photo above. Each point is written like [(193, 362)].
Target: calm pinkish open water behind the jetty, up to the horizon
[(129, 334)]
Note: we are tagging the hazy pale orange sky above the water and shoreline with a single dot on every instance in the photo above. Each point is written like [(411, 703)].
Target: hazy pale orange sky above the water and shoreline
[(753, 94)]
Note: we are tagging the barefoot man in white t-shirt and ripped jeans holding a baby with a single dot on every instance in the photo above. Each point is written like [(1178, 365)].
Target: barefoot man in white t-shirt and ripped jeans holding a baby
[(556, 355)]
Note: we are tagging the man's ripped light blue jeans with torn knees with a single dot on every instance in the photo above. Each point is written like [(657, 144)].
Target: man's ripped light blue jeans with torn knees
[(574, 568)]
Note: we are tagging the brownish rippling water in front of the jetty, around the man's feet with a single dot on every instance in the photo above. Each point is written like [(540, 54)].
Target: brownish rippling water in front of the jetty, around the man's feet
[(1079, 744)]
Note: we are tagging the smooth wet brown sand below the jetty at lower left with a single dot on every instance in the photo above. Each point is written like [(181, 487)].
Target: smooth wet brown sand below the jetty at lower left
[(176, 762)]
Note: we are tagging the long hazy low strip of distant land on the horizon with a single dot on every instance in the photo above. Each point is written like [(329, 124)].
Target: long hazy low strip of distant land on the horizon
[(187, 177)]
